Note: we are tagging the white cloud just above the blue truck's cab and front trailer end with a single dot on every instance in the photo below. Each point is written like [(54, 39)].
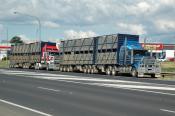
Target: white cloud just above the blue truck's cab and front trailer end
[(132, 28)]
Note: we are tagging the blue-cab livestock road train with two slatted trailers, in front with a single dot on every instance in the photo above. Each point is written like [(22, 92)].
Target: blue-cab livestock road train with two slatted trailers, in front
[(110, 54)]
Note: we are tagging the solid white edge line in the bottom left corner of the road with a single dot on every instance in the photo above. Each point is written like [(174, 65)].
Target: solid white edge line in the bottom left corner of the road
[(26, 108)]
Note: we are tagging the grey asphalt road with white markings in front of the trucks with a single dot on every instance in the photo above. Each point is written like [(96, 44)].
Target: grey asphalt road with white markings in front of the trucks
[(41, 93)]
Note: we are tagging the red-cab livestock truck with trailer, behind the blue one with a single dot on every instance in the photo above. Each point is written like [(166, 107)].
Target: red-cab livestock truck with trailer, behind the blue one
[(37, 55)]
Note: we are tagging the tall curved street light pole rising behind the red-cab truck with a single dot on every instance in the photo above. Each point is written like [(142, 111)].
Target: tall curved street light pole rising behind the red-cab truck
[(38, 20)]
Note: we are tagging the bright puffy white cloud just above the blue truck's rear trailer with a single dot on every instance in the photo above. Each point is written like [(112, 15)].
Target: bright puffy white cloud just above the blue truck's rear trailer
[(71, 34)]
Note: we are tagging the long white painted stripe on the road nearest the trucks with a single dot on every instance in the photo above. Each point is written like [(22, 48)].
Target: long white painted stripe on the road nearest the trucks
[(79, 78)]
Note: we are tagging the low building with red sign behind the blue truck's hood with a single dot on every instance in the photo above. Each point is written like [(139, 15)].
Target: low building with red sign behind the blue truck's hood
[(163, 52)]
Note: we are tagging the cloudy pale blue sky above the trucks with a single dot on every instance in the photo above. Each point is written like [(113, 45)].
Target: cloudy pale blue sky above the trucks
[(66, 19)]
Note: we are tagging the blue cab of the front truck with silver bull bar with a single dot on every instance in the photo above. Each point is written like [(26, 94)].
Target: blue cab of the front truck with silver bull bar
[(137, 60)]
